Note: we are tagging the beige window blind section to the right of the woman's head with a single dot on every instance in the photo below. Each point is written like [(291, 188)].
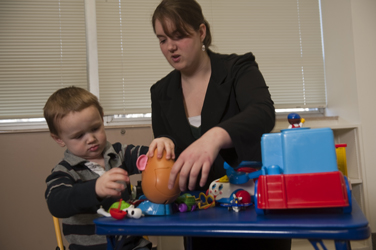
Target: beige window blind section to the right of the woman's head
[(285, 36)]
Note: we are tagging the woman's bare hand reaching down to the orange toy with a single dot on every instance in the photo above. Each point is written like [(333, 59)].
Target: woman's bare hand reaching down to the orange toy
[(199, 156)]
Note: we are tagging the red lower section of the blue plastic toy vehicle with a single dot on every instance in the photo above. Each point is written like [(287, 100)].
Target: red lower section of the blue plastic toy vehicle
[(301, 191)]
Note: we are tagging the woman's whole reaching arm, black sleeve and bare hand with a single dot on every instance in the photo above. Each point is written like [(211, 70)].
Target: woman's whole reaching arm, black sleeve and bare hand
[(242, 131)]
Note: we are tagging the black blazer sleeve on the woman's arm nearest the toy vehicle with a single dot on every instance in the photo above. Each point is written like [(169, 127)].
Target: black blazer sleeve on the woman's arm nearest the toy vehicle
[(257, 113)]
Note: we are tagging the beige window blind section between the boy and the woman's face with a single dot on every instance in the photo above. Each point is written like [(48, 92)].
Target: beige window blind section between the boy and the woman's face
[(129, 57)]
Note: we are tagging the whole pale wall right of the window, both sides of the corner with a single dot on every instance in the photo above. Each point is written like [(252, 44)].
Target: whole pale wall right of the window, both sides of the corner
[(349, 29)]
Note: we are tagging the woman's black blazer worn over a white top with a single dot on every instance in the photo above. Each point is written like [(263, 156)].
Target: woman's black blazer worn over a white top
[(237, 100)]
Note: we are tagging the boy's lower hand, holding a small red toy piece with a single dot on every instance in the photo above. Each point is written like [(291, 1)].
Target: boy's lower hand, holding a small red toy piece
[(110, 183)]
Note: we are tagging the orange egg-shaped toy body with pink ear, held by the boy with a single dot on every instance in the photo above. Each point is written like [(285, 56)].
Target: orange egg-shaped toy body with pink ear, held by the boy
[(155, 175)]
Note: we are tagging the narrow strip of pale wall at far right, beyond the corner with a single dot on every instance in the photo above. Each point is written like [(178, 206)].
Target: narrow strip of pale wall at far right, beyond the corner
[(364, 26)]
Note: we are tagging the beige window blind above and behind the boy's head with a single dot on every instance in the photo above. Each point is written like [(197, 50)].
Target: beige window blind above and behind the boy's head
[(42, 48)]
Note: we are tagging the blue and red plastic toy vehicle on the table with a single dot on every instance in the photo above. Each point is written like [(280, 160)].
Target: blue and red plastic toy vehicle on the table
[(300, 171)]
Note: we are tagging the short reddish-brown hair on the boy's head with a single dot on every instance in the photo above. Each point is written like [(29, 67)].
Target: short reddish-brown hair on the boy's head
[(66, 100)]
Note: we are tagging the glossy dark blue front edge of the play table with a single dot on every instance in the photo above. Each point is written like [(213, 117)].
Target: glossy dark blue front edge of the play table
[(355, 231)]
